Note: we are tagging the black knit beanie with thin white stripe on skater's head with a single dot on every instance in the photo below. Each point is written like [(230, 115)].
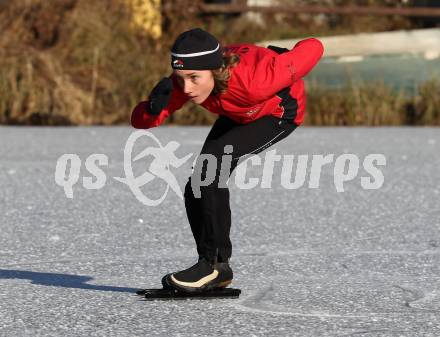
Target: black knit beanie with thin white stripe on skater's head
[(196, 49)]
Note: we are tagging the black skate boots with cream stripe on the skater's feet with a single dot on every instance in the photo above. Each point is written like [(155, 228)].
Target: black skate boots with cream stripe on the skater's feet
[(202, 276)]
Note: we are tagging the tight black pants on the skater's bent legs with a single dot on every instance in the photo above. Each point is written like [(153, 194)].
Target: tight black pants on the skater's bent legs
[(212, 229)]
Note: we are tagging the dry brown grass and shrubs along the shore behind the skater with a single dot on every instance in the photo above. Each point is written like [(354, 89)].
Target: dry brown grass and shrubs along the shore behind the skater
[(76, 62)]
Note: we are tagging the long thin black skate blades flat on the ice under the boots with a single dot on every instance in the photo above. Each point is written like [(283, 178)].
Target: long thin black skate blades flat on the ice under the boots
[(167, 294)]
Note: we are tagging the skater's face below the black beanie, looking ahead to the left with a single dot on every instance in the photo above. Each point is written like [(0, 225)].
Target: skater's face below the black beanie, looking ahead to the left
[(197, 84)]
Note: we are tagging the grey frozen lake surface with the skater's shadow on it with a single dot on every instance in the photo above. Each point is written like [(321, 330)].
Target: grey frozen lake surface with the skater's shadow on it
[(309, 262)]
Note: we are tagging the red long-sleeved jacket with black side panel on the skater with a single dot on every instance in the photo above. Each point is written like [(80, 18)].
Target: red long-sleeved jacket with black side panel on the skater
[(263, 83)]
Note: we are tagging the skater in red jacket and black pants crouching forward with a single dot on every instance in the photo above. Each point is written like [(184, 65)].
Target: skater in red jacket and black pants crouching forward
[(259, 96)]
